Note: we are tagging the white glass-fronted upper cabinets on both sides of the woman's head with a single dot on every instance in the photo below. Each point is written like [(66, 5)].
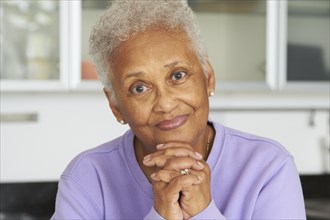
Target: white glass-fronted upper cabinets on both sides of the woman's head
[(249, 42)]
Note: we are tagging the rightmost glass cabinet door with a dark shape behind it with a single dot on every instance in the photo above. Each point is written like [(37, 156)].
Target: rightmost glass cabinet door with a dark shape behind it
[(307, 54)]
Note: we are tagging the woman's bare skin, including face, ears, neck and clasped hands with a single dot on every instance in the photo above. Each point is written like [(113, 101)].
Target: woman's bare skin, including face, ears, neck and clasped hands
[(162, 93)]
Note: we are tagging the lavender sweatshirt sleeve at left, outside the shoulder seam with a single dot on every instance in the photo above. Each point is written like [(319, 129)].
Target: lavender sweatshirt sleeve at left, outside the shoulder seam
[(73, 202)]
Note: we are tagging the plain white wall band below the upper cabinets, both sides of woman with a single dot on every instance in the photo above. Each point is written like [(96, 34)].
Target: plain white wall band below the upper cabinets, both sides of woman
[(69, 123)]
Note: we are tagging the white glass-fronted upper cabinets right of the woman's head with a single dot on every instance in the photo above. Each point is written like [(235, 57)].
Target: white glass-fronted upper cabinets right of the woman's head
[(261, 46)]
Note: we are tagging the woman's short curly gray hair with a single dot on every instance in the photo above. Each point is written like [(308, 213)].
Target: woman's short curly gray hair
[(126, 18)]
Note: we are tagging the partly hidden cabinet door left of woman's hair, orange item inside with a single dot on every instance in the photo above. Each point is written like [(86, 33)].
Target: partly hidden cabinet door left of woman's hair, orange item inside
[(84, 14)]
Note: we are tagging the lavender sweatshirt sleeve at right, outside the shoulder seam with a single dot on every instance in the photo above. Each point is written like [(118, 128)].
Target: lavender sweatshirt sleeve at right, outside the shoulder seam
[(281, 197)]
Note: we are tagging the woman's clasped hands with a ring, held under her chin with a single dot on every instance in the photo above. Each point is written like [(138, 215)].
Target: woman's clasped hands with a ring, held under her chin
[(178, 196)]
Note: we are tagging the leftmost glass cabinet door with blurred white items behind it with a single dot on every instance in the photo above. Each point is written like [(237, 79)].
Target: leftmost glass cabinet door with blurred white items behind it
[(31, 53)]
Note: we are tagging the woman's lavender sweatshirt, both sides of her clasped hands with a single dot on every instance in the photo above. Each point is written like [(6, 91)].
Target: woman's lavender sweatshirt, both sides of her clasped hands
[(252, 178)]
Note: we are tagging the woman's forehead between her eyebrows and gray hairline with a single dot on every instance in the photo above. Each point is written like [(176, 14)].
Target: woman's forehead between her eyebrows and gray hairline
[(150, 48)]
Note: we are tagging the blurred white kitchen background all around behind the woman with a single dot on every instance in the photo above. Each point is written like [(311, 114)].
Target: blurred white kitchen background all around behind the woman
[(272, 63)]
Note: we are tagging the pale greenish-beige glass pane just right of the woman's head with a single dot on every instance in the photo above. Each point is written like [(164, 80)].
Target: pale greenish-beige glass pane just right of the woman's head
[(230, 39)]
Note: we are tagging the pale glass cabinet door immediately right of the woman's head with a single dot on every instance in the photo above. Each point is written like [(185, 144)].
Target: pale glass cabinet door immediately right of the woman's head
[(235, 34)]
